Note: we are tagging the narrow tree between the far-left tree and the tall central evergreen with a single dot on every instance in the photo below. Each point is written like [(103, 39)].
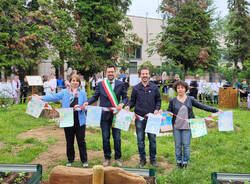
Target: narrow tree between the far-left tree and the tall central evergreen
[(62, 25)]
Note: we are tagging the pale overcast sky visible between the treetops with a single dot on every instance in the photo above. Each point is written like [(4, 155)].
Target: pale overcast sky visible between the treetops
[(141, 7)]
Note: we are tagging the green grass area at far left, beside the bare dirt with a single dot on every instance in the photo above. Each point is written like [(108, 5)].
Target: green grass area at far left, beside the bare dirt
[(14, 121)]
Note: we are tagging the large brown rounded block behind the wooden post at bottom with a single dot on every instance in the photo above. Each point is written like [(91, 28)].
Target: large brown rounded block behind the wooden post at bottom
[(112, 175)]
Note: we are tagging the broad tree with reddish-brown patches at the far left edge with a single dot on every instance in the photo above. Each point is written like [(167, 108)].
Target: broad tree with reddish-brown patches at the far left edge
[(22, 39)]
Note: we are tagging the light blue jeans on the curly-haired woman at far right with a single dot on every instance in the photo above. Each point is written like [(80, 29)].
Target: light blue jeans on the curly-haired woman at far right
[(182, 139)]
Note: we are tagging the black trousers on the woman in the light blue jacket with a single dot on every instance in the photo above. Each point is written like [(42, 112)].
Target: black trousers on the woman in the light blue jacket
[(79, 132)]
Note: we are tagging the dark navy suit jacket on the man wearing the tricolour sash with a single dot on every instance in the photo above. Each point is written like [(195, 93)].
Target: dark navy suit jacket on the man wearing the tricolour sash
[(120, 92)]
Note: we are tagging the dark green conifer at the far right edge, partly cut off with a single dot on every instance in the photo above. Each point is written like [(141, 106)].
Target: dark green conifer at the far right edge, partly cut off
[(238, 33)]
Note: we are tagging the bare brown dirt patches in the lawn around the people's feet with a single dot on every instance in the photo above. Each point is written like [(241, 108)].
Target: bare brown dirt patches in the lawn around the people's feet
[(57, 151)]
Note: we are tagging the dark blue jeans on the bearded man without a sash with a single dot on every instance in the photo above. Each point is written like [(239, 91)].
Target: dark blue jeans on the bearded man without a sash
[(140, 132)]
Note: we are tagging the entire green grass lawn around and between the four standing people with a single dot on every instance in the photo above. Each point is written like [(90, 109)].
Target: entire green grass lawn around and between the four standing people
[(215, 152)]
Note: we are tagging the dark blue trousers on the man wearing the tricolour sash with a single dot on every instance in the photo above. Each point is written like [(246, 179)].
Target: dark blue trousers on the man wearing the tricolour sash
[(105, 126)]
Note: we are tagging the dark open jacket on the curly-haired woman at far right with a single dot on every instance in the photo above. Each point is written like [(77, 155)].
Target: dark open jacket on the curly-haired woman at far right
[(175, 105)]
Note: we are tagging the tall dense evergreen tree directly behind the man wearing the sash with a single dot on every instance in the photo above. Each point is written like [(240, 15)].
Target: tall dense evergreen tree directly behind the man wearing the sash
[(100, 34)]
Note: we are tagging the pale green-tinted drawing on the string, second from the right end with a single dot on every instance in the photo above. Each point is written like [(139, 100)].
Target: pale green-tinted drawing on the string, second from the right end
[(198, 127)]
